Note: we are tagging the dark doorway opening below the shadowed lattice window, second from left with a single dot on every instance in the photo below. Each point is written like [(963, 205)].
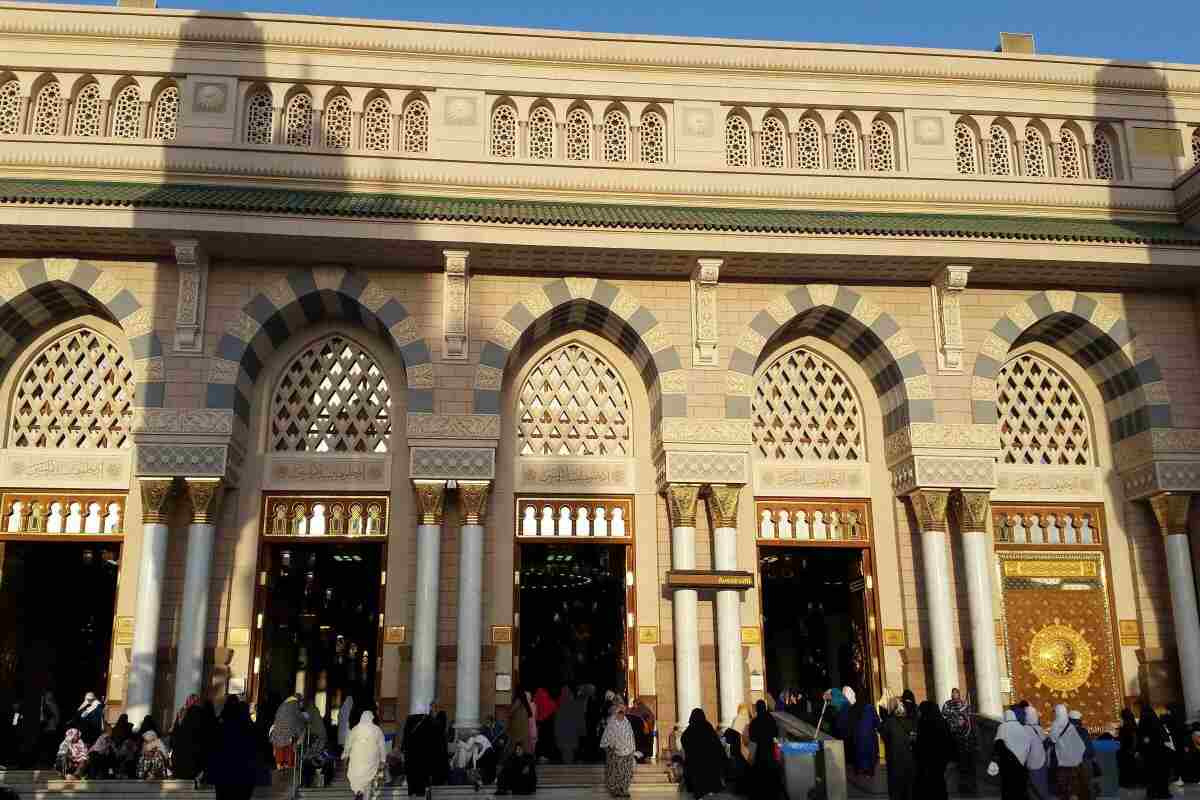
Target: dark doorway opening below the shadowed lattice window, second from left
[(321, 625)]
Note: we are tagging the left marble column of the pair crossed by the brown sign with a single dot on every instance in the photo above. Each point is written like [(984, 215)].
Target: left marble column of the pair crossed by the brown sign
[(682, 504)]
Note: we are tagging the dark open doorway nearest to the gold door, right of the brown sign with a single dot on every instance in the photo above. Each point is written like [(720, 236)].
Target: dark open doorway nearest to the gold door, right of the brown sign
[(814, 621)]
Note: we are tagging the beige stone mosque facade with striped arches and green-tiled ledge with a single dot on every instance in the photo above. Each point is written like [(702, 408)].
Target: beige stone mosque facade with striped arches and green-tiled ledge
[(214, 195)]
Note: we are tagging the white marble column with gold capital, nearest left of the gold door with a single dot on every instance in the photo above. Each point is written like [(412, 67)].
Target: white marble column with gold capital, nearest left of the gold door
[(977, 562)]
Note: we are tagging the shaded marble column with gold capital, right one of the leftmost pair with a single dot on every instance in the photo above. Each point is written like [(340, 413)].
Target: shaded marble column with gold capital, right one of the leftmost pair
[(205, 495)]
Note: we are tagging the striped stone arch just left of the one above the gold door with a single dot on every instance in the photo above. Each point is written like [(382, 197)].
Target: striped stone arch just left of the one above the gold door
[(859, 327)]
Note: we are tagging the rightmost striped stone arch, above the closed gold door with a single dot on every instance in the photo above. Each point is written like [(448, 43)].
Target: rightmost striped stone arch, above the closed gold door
[(1099, 339)]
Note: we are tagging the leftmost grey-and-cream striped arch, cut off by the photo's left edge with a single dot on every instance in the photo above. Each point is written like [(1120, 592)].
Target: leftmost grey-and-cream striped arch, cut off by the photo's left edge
[(49, 291)]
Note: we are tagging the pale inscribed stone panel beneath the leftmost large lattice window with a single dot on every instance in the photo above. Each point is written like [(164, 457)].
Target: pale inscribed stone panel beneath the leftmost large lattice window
[(68, 470)]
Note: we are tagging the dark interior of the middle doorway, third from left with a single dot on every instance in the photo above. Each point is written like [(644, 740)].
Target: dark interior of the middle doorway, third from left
[(573, 617)]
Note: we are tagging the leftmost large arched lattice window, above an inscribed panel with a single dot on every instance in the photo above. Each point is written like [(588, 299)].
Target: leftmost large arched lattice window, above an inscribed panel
[(77, 393)]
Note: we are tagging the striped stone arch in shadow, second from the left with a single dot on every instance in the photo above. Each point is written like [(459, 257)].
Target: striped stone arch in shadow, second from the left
[(303, 298)]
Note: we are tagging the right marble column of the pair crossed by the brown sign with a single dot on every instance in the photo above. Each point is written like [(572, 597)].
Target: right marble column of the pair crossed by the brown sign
[(723, 508)]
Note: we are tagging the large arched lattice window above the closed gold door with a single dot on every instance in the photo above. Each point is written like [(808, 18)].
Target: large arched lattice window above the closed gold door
[(1043, 422)]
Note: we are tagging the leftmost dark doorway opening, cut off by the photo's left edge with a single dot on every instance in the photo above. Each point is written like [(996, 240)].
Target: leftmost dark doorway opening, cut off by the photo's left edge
[(57, 605)]
